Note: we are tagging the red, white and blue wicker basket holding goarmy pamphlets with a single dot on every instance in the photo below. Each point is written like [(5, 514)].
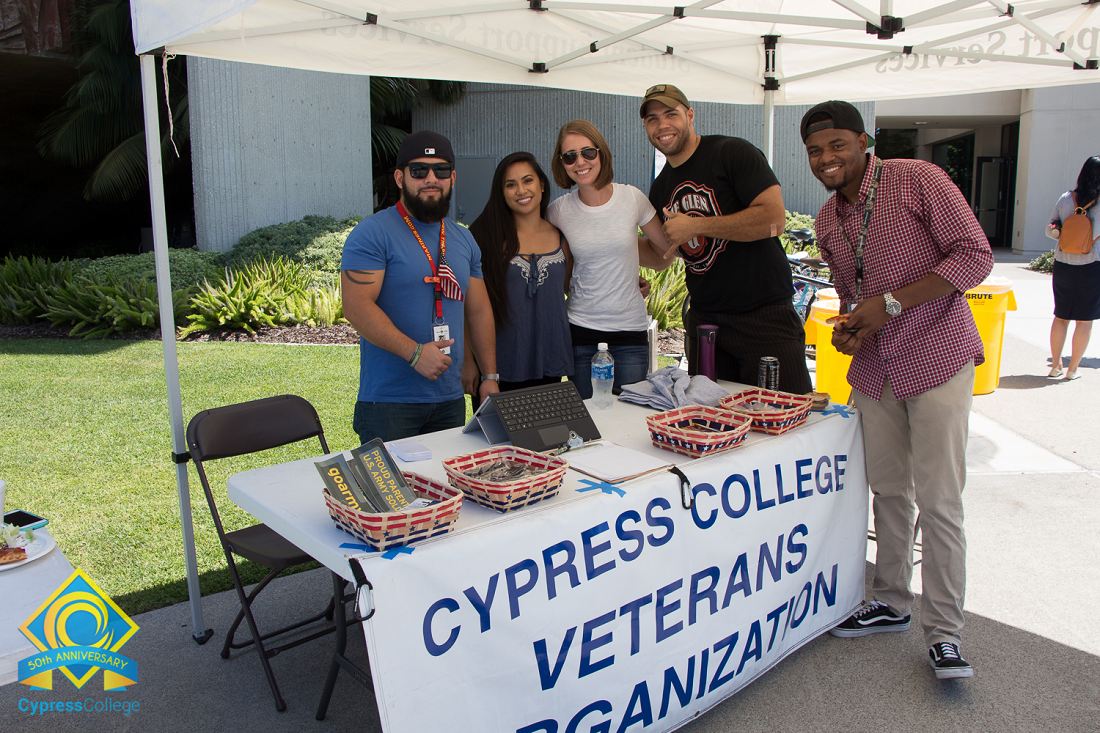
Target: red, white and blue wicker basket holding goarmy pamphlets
[(400, 529)]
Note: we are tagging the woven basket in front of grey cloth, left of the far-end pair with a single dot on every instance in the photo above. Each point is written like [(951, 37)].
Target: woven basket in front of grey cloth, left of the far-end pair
[(698, 431)]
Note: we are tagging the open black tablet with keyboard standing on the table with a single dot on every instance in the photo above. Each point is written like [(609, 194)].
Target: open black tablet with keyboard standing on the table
[(538, 419)]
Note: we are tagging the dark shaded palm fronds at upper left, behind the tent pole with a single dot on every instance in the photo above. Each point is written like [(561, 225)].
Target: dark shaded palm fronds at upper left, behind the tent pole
[(102, 123)]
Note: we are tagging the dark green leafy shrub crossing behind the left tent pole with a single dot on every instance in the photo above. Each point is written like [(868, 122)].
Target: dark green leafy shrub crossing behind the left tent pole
[(102, 305)]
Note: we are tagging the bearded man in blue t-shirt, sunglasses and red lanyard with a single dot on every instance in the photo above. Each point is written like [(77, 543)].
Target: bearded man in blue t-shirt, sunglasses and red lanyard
[(412, 280)]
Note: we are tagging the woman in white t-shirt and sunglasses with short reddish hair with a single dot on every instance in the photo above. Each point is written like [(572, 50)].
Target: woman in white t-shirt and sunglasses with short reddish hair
[(601, 222)]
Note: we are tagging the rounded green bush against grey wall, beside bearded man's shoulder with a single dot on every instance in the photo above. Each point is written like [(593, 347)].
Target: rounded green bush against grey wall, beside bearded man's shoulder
[(315, 242)]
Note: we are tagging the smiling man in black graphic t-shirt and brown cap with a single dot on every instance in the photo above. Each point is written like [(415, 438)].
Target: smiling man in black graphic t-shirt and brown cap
[(723, 207)]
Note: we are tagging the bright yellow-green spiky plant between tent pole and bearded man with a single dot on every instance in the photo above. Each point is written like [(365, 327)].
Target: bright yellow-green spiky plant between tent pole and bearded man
[(265, 293)]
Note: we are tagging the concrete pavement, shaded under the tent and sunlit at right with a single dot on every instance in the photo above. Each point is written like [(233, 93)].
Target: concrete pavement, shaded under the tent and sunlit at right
[(1033, 634)]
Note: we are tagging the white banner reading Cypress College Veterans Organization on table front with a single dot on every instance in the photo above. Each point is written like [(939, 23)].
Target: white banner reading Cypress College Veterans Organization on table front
[(625, 611)]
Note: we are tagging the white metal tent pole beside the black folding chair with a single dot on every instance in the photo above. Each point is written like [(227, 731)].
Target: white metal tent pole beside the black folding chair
[(169, 335)]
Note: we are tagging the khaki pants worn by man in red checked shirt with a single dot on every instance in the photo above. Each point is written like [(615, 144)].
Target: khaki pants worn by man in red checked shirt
[(917, 453)]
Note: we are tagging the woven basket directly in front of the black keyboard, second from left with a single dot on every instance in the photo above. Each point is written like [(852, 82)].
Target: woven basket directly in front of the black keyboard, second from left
[(507, 496)]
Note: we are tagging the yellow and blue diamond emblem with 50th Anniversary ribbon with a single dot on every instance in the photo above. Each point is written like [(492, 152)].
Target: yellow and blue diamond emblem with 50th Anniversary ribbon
[(79, 631)]
